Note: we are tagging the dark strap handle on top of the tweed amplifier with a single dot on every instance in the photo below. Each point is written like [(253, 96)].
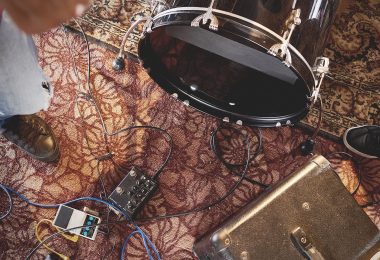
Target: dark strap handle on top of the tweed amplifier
[(304, 245)]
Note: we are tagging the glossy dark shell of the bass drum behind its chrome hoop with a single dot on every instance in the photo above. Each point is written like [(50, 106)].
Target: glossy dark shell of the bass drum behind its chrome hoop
[(310, 36)]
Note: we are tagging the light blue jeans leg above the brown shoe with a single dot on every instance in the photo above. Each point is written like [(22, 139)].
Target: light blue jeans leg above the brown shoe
[(21, 78)]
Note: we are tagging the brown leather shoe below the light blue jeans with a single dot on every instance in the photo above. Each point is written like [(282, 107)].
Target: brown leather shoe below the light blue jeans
[(33, 135)]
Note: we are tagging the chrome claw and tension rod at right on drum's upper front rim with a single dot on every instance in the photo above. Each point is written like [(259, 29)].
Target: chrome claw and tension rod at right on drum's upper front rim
[(281, 50)]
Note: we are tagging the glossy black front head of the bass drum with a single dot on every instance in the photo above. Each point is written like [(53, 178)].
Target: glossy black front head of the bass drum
[(220, 74)]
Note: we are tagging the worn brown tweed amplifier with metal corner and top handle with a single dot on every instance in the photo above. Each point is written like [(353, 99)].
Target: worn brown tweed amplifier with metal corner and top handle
[(308, 215)]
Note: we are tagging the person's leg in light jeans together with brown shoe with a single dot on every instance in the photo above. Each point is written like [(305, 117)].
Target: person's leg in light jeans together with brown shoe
[(23, 91)]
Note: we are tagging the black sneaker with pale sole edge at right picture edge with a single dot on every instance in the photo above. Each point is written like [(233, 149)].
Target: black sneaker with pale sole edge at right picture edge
[(363, 140)]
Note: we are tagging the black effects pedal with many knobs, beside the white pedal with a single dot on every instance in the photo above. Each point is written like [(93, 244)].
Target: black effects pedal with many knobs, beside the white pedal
[(133, 192)]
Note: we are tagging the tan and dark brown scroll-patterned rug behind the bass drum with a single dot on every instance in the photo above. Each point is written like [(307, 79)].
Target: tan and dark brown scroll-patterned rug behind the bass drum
[(352, 94)]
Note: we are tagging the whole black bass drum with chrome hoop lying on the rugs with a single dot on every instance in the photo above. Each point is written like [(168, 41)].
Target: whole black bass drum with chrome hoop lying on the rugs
[(224, 64)]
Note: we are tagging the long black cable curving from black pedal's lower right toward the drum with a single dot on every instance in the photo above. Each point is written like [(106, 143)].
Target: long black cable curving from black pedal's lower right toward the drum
[(208, 206)]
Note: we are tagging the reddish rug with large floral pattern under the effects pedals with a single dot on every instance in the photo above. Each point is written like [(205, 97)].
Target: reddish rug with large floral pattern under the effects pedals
[(192, 178)]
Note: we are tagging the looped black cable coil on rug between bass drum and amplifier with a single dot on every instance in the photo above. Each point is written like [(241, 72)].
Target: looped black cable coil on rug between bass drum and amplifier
[(230, 166)]
